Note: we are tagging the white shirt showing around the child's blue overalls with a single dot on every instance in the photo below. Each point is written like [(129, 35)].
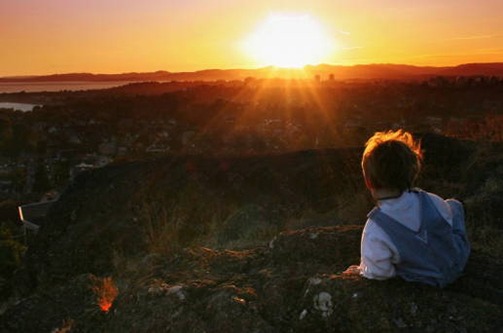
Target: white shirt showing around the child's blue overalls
[(378, 253)]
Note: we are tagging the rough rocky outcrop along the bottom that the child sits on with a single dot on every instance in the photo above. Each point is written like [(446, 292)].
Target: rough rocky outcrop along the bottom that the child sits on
[(263, 290)]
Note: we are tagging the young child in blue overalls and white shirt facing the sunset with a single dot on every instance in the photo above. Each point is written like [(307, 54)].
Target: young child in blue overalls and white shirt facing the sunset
[(411, 233)]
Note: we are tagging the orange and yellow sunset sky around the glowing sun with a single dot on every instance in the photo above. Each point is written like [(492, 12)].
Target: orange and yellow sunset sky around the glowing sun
[(115, 36)]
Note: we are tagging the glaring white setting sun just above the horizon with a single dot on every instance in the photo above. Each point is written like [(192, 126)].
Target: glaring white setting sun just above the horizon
[(289, 41)]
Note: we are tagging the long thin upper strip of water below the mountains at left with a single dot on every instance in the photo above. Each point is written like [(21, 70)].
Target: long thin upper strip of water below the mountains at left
[(12, 87)]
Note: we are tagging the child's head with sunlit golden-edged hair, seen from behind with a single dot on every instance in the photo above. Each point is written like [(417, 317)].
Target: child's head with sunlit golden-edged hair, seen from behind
[(391, 160)]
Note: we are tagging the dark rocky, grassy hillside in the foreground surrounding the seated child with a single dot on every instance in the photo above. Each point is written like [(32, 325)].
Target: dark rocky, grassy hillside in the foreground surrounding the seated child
[(250, 244)]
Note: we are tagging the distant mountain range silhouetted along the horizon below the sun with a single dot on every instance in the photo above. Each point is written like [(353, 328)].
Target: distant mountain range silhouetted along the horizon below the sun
[(373, 71)]
